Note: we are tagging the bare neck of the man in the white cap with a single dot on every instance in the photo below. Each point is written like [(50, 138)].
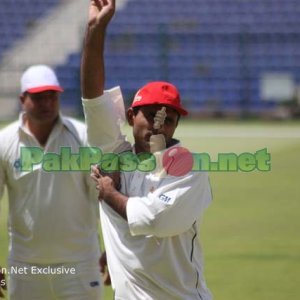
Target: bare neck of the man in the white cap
[(40, 130)]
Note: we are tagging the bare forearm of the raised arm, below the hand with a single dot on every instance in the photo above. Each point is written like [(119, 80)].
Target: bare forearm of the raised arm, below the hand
[(92, 62)]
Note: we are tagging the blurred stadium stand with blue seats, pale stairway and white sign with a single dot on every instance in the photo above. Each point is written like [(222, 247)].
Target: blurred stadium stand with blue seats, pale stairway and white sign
[(232, 58)]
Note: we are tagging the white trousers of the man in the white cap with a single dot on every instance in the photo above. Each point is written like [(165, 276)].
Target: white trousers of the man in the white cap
[(71, 281)]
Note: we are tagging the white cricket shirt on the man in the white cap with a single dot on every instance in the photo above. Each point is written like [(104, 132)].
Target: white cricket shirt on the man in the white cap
[(53, 216)]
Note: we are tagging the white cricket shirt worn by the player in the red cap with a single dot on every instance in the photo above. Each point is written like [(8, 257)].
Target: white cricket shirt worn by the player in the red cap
[(156, 254)]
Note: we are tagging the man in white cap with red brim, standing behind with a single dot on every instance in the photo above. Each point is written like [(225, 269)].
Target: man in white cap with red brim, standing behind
[(53, 216)]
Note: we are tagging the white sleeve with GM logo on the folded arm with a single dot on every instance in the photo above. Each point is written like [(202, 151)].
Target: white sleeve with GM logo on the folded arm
[(171, 209)]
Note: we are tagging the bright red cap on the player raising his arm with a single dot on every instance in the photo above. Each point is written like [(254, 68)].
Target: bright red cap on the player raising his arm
[(159, 92)]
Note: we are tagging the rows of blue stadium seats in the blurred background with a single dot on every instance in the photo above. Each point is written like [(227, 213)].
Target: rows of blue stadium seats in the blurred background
[(215, 51)]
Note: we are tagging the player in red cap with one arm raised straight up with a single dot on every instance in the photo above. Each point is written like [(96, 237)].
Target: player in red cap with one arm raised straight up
[(150, 222)]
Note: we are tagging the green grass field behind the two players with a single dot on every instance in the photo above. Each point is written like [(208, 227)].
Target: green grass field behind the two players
[(251, 232)]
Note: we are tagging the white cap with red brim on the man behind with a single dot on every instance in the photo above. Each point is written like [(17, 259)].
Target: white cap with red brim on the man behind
[(39, 78)]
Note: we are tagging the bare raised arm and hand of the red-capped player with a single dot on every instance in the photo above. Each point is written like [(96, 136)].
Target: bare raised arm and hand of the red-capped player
[(92, 61)]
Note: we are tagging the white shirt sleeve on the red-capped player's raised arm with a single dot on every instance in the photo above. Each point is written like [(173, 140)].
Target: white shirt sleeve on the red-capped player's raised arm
[(104, 117)]
